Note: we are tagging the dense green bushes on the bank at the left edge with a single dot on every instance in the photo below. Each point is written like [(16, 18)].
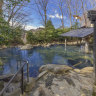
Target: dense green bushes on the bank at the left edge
[(9, 35)]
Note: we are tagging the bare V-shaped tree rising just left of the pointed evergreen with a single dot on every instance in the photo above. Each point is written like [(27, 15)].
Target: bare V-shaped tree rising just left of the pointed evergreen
[(42, 9)]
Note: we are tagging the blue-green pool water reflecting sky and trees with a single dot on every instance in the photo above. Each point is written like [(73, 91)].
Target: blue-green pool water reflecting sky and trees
[(39, 56)]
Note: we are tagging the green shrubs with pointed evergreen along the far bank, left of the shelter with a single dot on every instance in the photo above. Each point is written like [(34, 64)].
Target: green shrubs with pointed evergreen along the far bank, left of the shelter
[(47, 35)]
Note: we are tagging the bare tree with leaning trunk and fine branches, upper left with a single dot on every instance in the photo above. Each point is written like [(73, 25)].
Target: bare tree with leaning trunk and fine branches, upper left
[(13, 11)]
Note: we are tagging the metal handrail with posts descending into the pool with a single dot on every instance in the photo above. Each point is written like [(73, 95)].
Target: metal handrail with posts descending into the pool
[(21, 69)]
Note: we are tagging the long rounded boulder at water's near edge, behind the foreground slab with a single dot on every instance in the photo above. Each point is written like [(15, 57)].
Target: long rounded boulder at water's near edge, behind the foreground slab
[(57, 69)]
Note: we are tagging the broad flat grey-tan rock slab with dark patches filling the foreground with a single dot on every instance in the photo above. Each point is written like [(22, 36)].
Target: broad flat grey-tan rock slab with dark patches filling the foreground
[(72, 84)]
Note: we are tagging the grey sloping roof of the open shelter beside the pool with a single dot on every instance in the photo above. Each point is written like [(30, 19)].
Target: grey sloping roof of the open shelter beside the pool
[(82, 32)]
